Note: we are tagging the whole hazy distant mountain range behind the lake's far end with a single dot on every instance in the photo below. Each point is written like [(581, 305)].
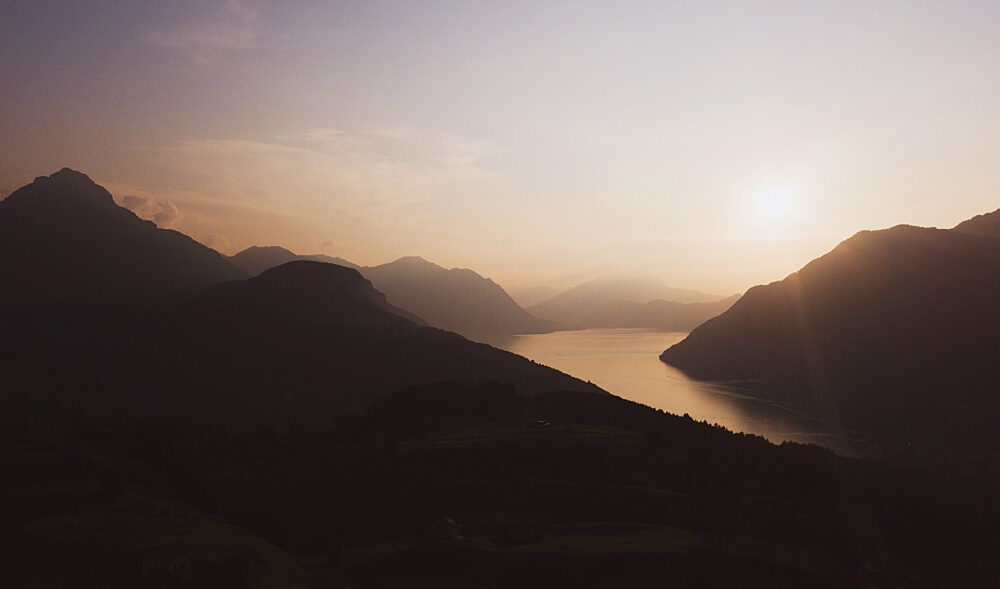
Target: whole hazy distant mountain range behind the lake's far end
[(465, 302)]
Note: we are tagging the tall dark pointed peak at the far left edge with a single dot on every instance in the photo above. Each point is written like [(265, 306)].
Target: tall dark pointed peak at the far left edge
[(63, 239)]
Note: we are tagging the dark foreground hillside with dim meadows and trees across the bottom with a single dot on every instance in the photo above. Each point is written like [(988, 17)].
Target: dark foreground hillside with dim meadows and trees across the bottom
[(449, 485)]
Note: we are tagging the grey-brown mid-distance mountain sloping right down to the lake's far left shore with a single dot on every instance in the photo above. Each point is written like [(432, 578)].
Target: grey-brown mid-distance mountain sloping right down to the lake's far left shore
[(458, 300)]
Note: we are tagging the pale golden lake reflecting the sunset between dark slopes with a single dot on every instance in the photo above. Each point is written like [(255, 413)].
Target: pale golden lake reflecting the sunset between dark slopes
[(626, 362)]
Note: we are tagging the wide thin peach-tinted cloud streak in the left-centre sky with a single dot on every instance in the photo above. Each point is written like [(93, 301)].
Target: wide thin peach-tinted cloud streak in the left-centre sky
[(370, 170)]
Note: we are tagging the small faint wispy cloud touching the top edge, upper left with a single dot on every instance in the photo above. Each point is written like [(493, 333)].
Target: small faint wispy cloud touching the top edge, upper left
[(232, 26)]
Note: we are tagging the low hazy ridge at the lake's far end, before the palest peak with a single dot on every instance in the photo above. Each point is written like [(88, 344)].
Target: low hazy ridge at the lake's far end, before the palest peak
[(658, 314)]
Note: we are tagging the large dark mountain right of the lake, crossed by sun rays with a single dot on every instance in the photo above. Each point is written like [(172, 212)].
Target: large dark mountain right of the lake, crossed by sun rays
[(895, 333)]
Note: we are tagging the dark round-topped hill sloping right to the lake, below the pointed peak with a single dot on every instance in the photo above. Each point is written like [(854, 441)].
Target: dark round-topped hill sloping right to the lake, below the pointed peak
[(301, 343)]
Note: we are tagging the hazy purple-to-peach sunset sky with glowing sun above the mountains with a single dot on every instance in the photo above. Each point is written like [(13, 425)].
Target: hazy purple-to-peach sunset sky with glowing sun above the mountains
[(713, 144)]
